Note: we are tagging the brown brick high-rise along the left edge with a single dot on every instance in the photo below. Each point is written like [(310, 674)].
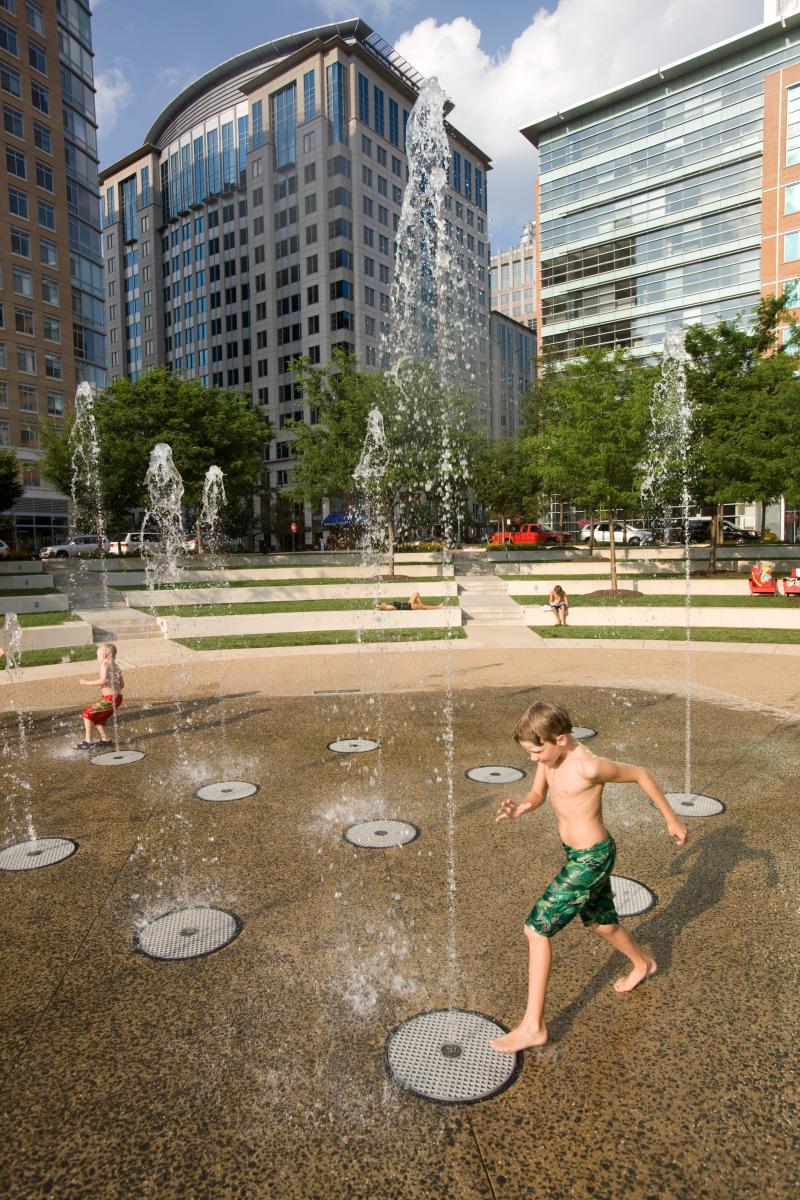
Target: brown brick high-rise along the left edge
[(51, 272)]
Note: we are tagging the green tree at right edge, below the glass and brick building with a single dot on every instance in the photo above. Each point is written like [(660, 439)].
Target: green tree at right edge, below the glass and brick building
[(745, 412)]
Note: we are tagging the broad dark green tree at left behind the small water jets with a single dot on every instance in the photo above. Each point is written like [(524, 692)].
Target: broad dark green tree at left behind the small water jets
[(202, 425)]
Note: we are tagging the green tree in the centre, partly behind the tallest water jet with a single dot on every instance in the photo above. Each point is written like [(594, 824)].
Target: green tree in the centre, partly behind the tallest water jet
[(424, 427)]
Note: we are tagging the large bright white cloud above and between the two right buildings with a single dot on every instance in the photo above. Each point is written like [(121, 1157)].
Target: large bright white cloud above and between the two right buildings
[(580, 50)]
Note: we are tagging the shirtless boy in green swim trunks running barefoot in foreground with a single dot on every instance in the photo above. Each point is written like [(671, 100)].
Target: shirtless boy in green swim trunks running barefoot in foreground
[(575, 778)]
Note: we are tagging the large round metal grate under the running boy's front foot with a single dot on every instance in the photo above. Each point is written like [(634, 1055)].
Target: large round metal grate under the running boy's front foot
[(446, 1055)]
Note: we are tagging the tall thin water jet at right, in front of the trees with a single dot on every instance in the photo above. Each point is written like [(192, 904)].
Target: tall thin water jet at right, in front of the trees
[(669, 476)]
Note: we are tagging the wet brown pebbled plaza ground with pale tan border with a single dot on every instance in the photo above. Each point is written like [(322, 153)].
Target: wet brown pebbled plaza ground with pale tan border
[(260, 1072)]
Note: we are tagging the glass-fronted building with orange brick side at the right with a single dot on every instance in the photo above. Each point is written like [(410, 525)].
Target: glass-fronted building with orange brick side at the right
[(672, 200)]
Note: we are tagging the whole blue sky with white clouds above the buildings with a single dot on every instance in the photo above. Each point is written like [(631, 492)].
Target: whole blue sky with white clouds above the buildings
[(503, 64)]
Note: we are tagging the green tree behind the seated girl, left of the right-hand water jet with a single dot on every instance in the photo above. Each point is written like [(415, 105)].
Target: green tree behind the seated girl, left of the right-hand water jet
[(585, 430)]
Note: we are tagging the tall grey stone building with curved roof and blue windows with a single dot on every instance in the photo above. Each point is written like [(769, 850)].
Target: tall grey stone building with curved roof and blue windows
[(257, 223)]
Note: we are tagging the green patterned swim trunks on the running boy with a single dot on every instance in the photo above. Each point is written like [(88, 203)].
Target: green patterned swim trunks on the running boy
[(582, 887)]
